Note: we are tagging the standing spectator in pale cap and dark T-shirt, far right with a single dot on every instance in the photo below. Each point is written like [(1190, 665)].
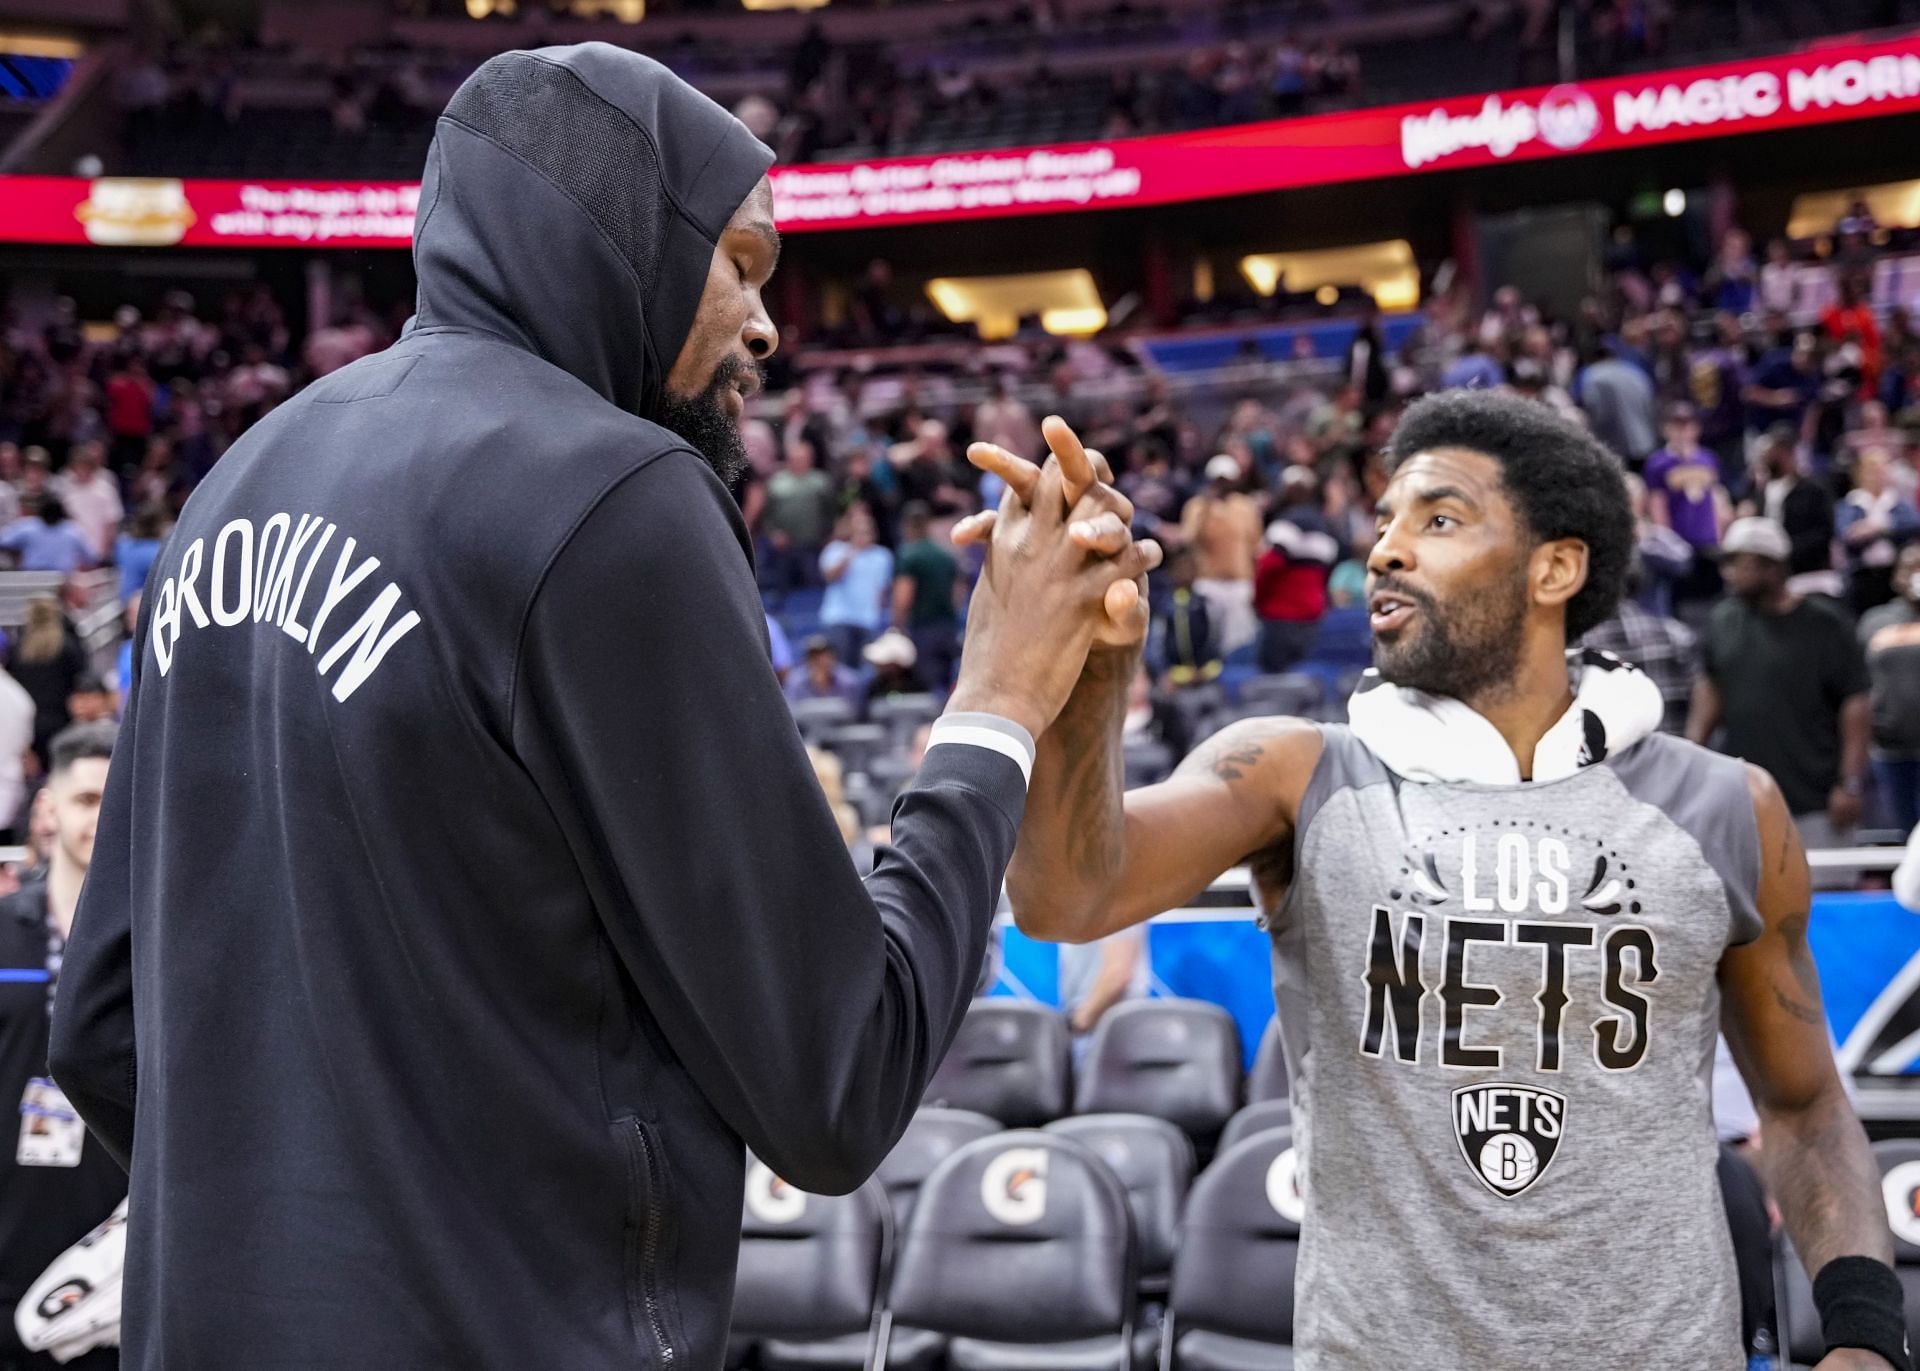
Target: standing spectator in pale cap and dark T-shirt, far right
[(1787, 683)]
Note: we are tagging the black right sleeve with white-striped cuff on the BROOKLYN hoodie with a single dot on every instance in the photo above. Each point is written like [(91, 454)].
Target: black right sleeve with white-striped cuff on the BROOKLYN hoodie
[(809, 1007)]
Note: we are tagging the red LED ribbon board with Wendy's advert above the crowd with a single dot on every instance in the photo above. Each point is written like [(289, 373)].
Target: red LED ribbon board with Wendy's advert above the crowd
[(1821, 85)]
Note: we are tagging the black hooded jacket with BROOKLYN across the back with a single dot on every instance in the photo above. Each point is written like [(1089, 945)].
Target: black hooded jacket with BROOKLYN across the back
[(464, 896)]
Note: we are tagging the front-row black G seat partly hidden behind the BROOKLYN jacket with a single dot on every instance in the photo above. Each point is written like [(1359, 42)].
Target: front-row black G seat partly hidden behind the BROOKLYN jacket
[(811, 1266)]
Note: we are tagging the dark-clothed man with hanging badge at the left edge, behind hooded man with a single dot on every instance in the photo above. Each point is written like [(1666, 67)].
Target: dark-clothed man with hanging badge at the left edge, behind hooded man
[(60, 1182)]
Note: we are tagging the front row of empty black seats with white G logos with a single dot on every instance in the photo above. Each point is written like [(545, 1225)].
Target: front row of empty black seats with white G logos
[(1028, 1249)]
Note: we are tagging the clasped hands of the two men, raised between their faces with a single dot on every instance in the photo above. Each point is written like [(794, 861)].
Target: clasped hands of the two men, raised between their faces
[(1063, 571)]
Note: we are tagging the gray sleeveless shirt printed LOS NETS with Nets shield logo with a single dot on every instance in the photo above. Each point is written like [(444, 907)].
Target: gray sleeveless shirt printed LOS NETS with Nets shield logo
[(1500, 1009)]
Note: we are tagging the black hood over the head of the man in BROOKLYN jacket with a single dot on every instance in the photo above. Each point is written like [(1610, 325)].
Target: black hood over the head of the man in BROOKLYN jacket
[(571, 204)]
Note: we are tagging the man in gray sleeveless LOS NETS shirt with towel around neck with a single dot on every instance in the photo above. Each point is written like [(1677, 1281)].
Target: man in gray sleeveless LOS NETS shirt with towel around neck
[(1510, 919)]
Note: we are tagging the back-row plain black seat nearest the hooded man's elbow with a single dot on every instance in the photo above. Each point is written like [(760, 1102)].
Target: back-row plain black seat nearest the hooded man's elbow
[(1009, 1063)]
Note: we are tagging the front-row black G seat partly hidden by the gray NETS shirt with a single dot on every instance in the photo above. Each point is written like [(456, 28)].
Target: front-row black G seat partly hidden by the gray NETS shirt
[(1234, 1278)]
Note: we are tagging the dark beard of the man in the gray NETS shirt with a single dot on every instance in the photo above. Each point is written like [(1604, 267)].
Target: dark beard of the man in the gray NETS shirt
[(1458, 652)]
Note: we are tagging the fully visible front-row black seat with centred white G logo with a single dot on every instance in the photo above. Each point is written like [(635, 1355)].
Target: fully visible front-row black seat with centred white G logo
[(1022, 1253)]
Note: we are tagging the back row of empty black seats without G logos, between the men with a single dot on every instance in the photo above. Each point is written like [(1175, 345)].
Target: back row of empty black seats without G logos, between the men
[(1178, 1061)]
